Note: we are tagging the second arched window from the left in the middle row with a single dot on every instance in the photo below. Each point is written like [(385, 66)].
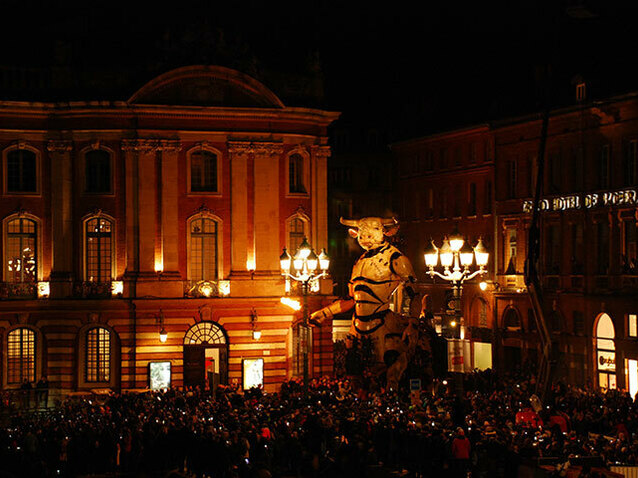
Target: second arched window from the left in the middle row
[(98, 249)]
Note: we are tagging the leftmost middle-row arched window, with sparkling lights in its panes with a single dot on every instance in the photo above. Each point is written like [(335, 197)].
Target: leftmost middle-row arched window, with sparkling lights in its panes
[(21, 263)]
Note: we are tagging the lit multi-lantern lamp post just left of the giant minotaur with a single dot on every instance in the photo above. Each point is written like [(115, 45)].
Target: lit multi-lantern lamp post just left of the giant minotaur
[(306, 268)]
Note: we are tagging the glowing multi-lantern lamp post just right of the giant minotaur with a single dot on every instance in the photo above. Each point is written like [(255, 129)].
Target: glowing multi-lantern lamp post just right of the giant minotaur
[(456, 257)]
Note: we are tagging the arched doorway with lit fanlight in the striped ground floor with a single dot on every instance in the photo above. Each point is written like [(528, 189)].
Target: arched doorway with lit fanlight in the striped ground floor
[(205, 356)]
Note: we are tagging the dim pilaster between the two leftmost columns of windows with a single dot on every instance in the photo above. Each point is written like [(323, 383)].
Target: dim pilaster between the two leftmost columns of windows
[(61, 217)]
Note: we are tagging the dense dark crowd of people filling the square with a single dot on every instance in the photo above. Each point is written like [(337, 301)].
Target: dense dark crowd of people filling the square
[(336, 428)]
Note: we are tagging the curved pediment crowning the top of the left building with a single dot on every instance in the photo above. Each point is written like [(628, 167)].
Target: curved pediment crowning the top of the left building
[(206, 86)]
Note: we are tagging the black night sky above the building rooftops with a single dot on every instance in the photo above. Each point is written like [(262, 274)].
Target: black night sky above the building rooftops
[(434, 66)]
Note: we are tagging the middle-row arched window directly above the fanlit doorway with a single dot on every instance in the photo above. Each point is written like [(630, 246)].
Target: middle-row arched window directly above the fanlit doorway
[(203, 249)]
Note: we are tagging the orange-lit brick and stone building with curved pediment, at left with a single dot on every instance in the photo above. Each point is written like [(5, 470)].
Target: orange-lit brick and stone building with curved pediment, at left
[(166, 212)]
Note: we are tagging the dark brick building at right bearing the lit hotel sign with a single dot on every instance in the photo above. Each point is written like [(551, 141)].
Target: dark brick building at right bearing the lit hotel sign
[(590, 210)]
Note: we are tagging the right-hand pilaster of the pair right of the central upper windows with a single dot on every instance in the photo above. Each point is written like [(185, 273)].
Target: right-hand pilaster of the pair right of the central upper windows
[(267, 223)]
